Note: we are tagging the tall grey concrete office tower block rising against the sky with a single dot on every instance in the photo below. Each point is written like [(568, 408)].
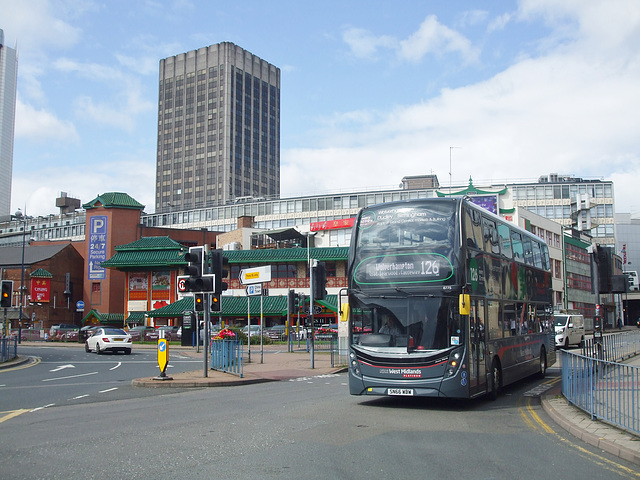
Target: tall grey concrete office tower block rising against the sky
[(218, 129)]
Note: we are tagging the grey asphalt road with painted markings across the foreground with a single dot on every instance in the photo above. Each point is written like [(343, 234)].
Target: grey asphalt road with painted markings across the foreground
[(307, 428)]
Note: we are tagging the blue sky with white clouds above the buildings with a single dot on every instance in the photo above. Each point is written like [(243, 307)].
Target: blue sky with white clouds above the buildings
[(371, 91)]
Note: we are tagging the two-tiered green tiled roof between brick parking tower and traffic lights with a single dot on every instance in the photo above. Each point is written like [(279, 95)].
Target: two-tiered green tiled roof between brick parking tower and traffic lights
[(148, 252)]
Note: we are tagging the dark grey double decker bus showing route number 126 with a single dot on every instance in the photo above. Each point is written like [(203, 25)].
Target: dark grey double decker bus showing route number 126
[(445, 299)]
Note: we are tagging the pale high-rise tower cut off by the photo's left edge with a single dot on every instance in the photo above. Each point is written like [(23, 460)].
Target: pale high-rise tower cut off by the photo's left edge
[(8, 86)]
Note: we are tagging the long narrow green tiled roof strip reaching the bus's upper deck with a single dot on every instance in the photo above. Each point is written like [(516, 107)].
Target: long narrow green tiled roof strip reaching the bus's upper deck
[(287, 255)]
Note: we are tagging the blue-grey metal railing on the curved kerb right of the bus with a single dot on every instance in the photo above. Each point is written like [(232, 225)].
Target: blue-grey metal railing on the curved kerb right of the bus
[(600, 386)]
